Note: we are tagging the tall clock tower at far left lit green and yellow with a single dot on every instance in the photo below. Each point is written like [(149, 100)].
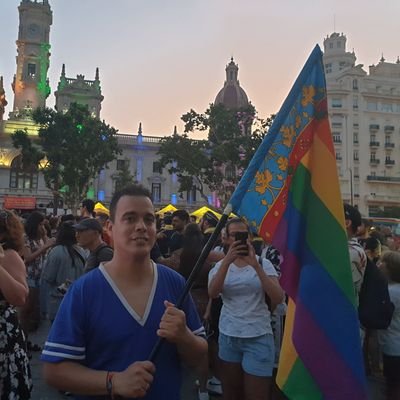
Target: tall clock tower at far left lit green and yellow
[(31, 85)]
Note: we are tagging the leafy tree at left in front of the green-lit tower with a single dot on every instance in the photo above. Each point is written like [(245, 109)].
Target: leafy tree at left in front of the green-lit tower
[(71, 148)]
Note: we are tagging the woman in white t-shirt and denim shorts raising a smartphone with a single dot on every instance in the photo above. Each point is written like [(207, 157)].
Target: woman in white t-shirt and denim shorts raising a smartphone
[(246, 344)]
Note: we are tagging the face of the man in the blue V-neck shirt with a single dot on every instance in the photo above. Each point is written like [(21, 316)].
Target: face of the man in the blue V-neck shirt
[(134, 227)]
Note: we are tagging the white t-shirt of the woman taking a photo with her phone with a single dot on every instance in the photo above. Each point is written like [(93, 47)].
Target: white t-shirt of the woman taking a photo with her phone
[(244, 312)]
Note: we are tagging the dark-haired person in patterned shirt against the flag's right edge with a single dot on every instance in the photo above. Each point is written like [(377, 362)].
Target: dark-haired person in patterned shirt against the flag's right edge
[(358, 257)]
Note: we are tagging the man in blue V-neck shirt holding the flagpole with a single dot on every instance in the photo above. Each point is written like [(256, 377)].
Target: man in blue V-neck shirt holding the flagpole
[(111, 318)]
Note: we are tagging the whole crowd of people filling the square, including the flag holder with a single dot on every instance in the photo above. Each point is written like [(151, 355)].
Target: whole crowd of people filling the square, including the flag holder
[(108, 282)]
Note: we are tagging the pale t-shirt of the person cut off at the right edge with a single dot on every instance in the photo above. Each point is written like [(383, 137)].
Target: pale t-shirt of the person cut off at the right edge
[(389, 338)]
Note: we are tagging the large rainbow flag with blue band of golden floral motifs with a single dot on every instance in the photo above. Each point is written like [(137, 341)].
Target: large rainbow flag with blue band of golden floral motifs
[(290, 194)]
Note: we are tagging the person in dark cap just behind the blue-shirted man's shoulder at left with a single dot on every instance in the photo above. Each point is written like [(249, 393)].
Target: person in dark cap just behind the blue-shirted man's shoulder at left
[(88, 236)]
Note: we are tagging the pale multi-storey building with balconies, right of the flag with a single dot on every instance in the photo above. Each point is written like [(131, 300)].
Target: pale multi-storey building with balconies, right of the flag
[(364, 111)]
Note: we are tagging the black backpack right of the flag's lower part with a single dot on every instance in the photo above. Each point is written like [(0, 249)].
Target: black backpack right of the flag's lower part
[(375, 310)]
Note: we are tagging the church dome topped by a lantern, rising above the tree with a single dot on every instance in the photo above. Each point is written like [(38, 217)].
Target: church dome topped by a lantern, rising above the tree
[(232, 96)]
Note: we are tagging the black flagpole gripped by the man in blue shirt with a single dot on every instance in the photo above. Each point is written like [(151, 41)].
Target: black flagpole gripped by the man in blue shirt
[(195, 272)]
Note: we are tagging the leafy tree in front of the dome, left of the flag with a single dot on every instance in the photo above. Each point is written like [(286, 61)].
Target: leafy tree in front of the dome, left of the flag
[(219, 161)]
